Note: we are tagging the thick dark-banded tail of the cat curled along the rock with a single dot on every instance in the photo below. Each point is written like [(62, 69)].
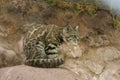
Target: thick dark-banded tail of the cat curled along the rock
[(45, 63)]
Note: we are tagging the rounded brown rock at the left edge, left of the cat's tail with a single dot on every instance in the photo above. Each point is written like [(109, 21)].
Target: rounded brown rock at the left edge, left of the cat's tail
[(8, 57)]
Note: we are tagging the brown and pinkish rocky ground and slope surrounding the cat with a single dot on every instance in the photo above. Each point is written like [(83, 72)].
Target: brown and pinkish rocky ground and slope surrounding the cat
[(96, 58)]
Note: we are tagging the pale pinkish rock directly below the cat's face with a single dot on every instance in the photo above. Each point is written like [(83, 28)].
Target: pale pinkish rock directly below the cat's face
[(70, 50)]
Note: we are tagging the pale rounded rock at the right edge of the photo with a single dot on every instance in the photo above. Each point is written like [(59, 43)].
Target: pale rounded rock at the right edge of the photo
[(108, 53)]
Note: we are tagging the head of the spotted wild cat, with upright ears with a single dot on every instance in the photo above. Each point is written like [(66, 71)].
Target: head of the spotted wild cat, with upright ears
[(70, 34)]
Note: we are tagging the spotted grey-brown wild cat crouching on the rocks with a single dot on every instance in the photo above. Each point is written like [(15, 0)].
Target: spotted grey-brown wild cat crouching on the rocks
[(41, 44)]
